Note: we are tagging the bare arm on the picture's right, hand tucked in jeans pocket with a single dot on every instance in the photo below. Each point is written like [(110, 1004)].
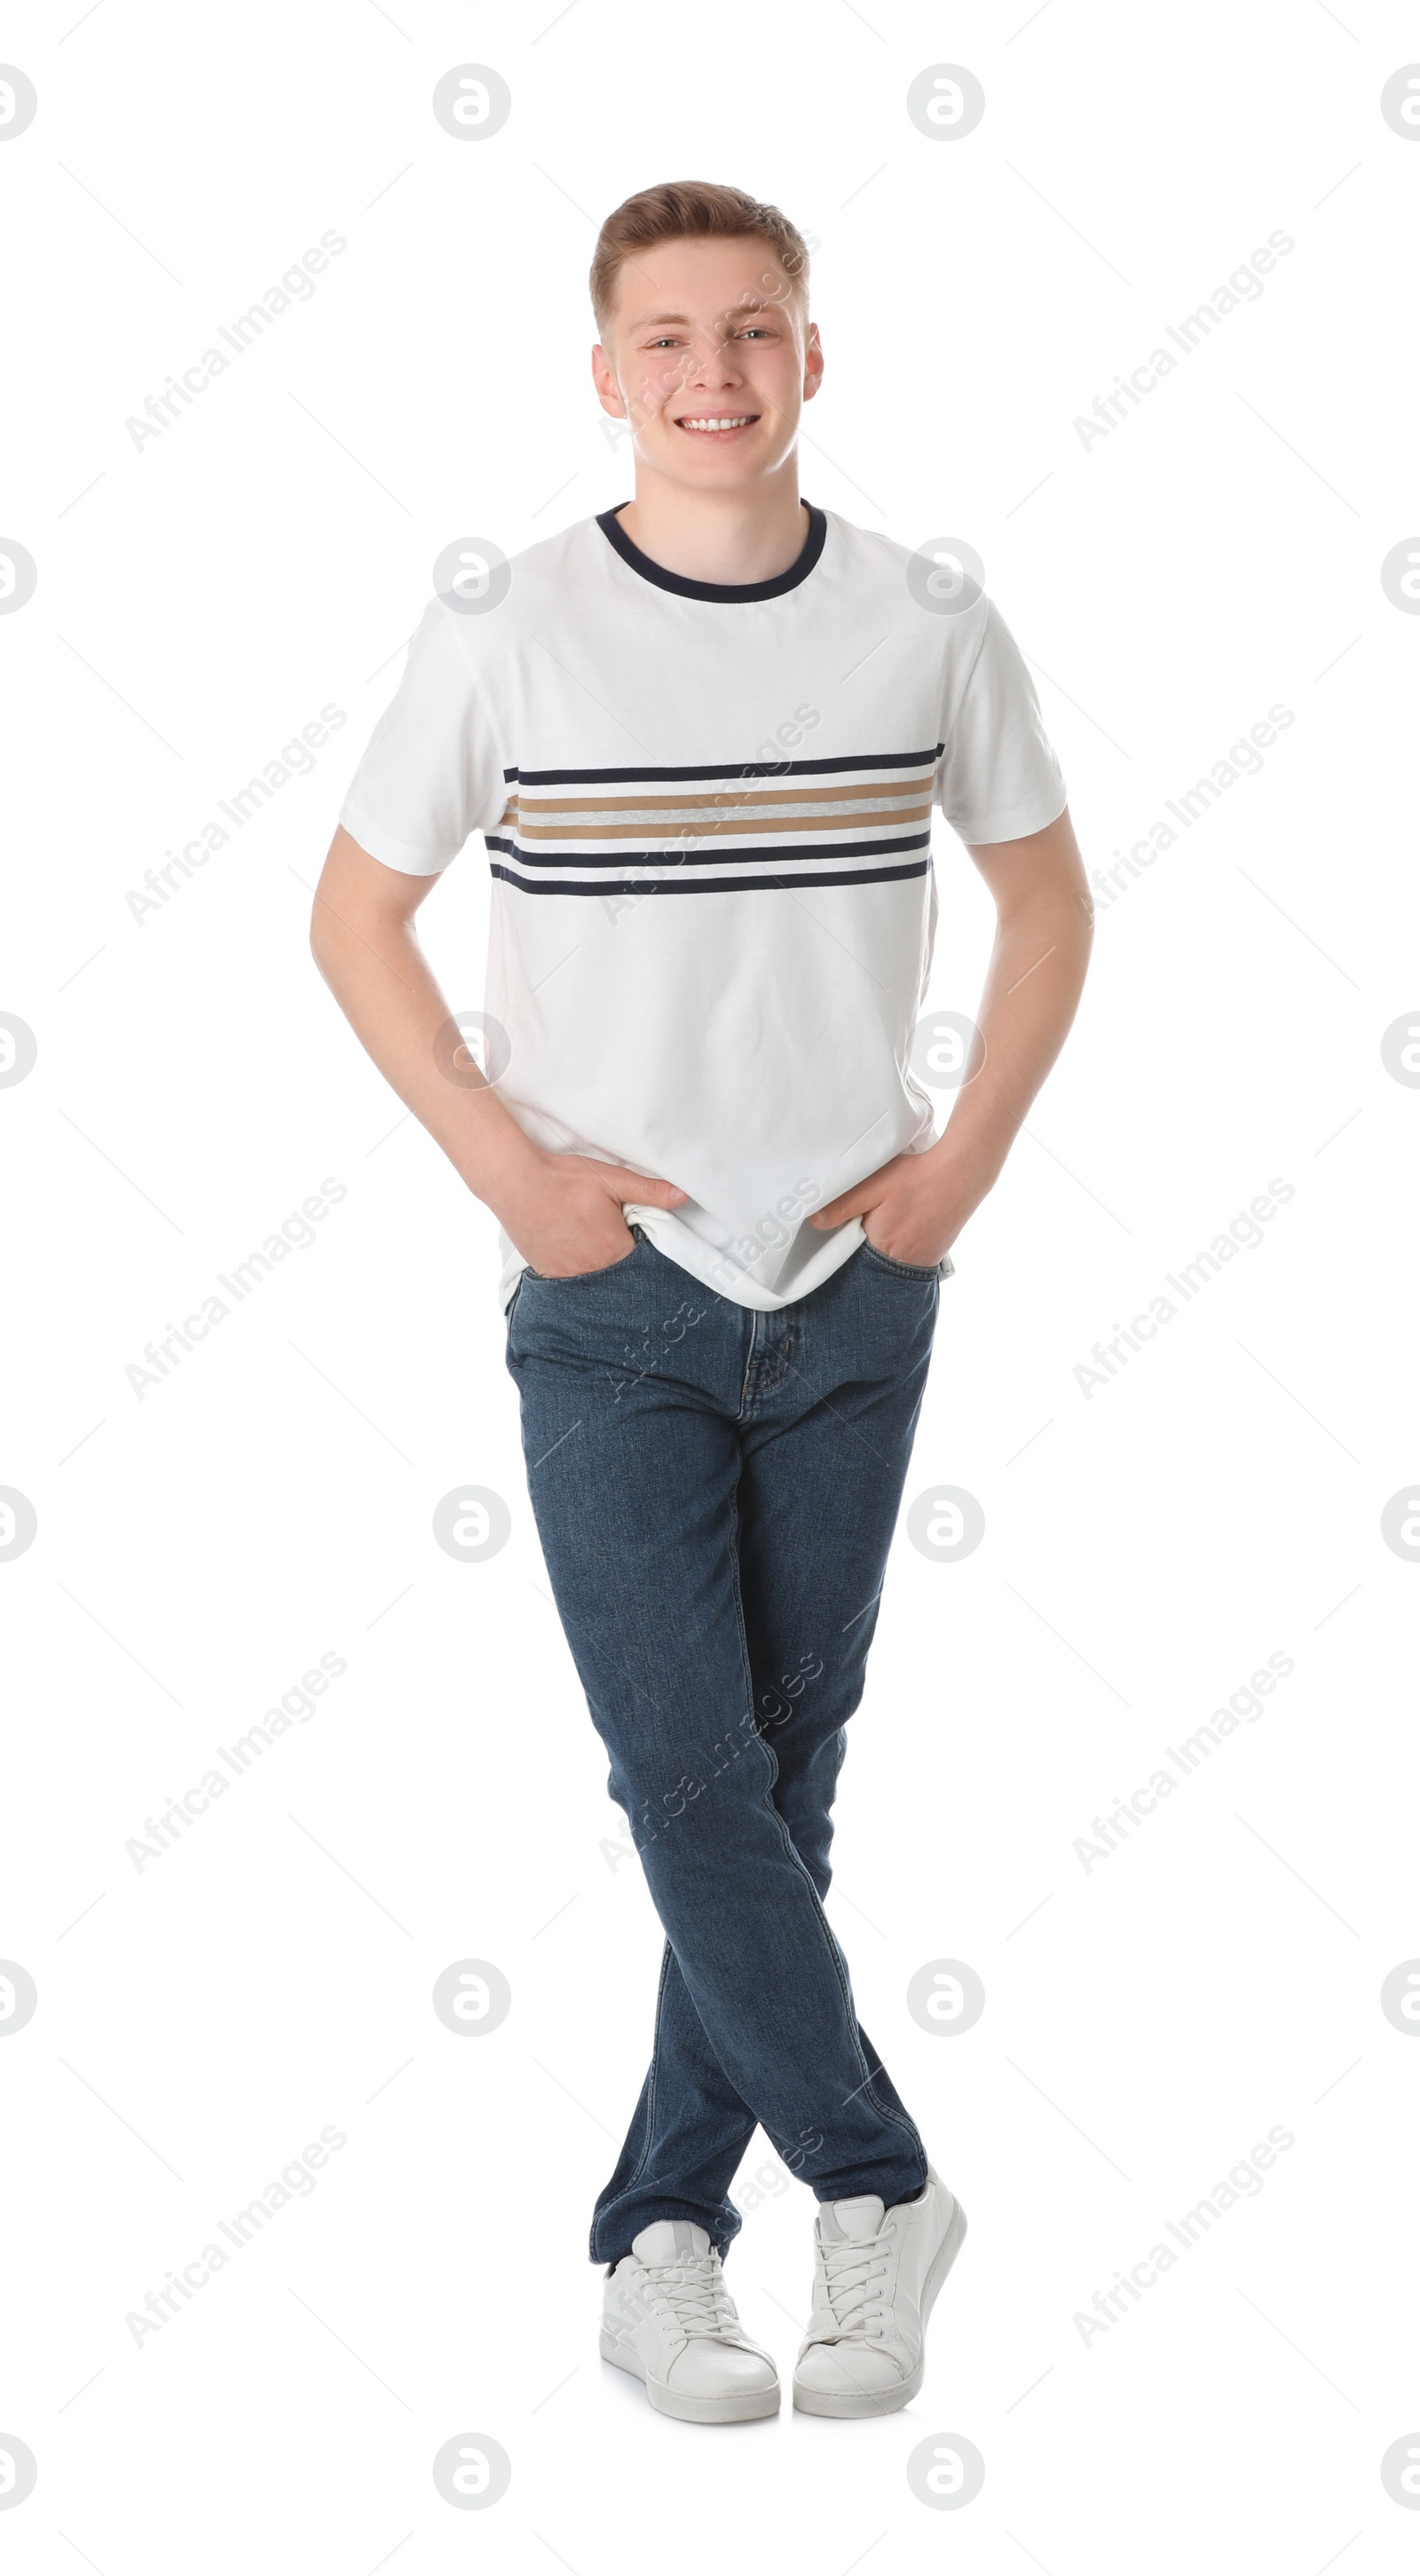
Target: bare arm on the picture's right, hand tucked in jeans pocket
[(914, 1207)]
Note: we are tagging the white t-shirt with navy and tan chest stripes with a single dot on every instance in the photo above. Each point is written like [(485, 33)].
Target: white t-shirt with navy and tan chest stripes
[(707, 813)]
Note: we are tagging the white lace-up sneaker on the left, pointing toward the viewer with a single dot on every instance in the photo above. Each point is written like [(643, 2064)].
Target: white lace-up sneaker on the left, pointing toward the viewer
[(671, 2322)]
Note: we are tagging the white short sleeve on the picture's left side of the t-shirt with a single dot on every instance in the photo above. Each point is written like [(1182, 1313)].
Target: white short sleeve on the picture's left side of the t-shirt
[(434, 769)]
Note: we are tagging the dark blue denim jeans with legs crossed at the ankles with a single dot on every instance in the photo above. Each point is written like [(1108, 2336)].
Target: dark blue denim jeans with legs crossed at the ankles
[(715, 1495)]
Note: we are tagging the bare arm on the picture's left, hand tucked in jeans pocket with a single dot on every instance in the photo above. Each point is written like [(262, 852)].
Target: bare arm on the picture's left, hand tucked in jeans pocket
[(563, 1212)]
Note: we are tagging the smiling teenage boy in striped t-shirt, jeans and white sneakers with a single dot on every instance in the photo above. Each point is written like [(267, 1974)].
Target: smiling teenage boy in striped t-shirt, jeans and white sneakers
[(702, 738)]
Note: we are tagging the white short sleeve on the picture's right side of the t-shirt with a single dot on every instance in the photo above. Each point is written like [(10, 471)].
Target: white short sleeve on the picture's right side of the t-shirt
[(999, 777)]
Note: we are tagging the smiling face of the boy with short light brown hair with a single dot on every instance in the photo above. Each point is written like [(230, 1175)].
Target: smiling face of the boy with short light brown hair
[(710, 362)]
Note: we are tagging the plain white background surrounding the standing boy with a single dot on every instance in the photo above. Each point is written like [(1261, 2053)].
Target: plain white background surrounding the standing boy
[(1148, 1547)]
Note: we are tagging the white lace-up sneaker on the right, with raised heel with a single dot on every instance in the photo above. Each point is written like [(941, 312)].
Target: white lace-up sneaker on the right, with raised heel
[(878, 2276)]
